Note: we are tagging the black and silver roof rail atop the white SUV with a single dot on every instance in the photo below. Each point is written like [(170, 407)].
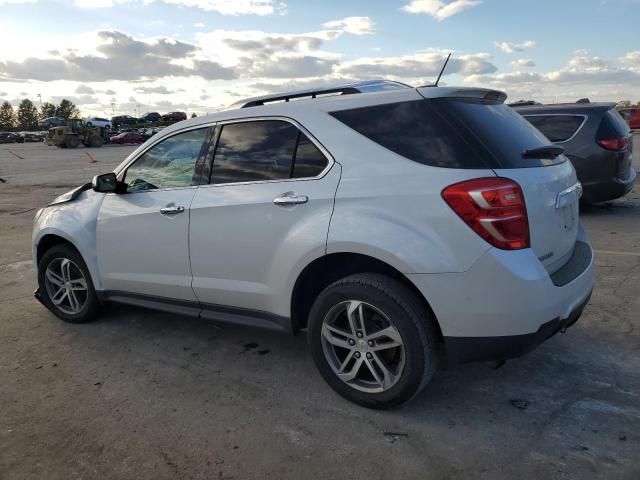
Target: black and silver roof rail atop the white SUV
[(345, 89)]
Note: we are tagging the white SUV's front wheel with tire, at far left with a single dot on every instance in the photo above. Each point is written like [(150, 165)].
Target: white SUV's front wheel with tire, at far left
[(86, 303)]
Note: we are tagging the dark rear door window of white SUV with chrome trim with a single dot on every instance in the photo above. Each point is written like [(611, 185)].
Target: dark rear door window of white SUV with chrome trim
[(264, 150)]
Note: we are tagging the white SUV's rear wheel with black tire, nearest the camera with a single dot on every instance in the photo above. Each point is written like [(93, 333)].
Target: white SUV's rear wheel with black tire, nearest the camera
[(384, 300)]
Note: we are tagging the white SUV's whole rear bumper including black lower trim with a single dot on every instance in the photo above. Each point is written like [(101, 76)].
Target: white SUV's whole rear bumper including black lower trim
[(507, 303)]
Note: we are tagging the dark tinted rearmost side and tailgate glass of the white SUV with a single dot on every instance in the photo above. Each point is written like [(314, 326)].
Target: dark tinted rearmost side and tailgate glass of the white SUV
[(450, 133)]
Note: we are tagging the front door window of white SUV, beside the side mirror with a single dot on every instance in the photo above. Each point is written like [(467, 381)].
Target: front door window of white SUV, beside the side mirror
[(168, 164)]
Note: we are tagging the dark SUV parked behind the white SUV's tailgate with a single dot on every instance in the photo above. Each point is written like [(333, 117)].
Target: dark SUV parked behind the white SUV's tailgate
[(596, 139)]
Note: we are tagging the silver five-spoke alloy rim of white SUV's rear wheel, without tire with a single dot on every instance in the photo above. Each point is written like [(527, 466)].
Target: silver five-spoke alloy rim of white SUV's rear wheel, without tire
[(362, 346)]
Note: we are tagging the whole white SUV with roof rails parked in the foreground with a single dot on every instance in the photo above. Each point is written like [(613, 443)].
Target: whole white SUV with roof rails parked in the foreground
[(401, 227)]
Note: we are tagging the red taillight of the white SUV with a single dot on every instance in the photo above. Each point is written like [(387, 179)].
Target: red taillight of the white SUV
[(494, 208)]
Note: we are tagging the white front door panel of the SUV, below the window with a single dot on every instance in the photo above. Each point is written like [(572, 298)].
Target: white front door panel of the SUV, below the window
[(141, 250)]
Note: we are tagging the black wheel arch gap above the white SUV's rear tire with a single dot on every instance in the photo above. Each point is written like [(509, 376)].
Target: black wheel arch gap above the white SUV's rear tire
[(325, 270)]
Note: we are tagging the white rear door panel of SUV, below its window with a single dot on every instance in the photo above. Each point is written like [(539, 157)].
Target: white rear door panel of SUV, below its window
[(247, 252)]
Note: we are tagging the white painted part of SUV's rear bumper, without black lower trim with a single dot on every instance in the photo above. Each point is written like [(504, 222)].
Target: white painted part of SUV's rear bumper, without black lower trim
[(504, 293)]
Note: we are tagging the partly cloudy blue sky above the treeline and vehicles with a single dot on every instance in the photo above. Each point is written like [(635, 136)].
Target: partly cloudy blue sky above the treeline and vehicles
[(199, 56)]
